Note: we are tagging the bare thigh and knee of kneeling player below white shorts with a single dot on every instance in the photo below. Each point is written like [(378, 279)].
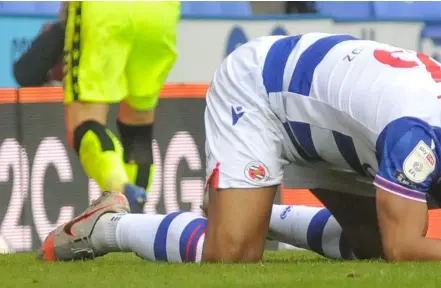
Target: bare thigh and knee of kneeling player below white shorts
[(237, 224)]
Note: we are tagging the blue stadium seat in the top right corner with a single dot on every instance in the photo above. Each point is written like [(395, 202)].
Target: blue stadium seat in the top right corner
[(407, 9)]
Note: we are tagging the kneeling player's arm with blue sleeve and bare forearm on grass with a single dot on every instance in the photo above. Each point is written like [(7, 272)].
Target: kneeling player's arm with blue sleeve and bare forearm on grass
[(408, 166)]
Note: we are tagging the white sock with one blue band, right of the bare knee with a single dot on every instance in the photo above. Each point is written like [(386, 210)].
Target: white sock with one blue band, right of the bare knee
[(310, 228)]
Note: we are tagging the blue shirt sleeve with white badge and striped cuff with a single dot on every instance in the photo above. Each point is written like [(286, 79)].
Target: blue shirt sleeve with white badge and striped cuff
[(406, 149)]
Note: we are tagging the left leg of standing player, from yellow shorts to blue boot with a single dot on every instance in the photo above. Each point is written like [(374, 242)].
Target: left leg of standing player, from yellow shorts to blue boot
[(96, 55)]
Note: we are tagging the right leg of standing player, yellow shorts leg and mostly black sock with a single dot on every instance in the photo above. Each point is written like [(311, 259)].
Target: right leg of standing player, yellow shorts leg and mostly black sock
[(151, 57)]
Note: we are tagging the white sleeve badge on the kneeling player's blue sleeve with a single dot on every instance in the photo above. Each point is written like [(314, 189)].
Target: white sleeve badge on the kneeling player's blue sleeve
[(420, 163)]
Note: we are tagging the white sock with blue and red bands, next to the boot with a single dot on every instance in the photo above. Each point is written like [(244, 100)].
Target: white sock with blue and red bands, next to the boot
[(176, 237)]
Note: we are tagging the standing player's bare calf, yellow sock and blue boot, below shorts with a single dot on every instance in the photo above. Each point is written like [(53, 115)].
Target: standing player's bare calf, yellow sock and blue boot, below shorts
[(99, 150)]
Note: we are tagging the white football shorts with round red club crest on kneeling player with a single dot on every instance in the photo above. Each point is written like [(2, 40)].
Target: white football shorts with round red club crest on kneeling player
[(245, 142)]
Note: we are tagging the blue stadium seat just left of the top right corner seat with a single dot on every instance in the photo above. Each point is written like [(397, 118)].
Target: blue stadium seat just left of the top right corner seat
[(345, 9)]
